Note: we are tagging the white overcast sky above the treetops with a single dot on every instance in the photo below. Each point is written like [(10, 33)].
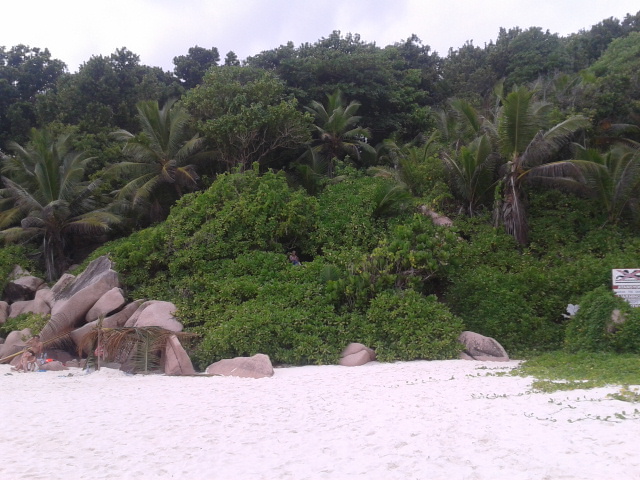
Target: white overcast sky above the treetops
[(159, 30)]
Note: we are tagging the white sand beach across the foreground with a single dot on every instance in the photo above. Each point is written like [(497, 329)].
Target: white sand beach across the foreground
[(452, 419)]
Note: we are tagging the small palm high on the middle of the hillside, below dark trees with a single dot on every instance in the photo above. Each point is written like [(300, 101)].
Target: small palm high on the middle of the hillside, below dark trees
[(338, 133)]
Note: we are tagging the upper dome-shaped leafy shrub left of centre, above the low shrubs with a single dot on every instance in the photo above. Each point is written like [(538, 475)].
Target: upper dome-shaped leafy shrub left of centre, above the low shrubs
[(239, 213)]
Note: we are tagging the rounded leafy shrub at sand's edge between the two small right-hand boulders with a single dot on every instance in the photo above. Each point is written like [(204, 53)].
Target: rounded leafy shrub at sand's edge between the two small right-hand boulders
[(405, 325)]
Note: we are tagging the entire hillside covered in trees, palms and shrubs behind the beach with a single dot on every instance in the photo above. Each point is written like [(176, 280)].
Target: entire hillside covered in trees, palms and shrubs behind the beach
[(199, 183)]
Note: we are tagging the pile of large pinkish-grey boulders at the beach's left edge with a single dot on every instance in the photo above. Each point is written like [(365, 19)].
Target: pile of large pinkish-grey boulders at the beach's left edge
[(76, 304)]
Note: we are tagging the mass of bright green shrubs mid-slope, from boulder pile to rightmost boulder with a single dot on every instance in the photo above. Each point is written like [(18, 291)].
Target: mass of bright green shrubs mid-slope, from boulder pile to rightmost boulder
[(221, 257)]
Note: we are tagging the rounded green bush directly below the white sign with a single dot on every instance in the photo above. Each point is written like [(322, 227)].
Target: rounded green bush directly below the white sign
[(591, 329)]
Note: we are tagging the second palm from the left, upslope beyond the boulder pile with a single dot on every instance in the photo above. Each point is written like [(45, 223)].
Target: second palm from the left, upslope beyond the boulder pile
[(160, 155)]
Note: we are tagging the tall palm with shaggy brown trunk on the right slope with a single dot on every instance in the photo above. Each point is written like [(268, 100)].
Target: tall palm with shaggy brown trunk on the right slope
[(526, 147)]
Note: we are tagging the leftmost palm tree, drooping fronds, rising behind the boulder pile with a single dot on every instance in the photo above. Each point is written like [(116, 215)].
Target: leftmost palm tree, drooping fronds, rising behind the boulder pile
[(44, 191)]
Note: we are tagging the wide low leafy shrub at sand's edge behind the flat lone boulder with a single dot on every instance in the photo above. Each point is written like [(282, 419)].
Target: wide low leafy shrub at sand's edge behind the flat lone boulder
[(282, 312)]
